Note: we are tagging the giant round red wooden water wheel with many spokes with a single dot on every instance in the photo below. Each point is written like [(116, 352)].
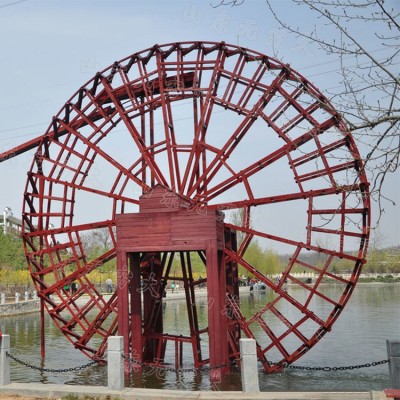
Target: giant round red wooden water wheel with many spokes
[(227, 129)]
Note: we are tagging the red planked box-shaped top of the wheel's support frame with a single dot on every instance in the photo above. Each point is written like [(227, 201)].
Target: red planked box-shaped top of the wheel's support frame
[(161, 227)]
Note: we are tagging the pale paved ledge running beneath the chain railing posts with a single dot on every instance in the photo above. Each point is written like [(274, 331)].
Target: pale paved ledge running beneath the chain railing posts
[(53, 390)]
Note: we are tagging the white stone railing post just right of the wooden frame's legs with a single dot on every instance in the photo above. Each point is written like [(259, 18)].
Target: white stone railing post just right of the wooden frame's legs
[(248, 366)]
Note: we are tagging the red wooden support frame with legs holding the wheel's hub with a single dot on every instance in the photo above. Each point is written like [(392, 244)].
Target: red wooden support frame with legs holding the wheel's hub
[(165, 224)]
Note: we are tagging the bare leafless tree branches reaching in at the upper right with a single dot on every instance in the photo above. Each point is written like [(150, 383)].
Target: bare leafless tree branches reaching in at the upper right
[(367, 95)]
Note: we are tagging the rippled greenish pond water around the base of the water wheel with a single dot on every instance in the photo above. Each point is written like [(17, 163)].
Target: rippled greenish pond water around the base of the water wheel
[(358, 337)]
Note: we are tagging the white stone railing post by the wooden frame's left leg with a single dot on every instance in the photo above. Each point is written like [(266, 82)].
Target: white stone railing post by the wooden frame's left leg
[(115, 363)]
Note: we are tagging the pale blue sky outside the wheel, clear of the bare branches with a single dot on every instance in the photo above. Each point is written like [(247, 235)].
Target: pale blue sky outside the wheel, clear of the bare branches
[(50, 49)]
